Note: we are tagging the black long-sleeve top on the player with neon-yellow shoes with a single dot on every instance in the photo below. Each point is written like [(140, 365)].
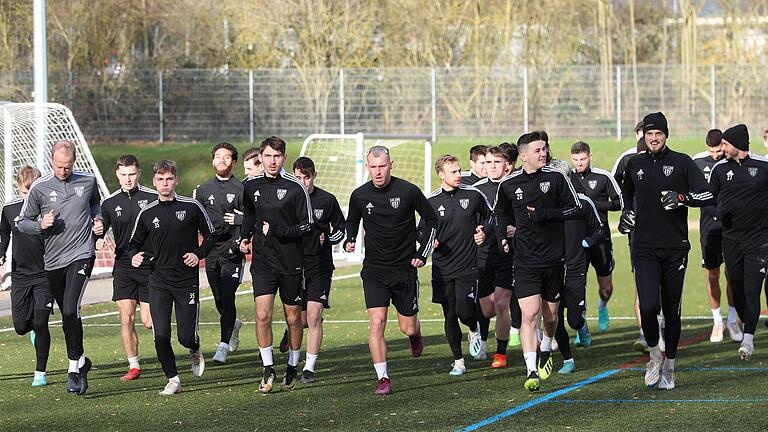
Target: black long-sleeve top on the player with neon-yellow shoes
[(539, 239)]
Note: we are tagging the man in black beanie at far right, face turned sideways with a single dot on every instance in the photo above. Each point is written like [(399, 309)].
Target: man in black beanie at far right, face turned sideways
[(739, 183)]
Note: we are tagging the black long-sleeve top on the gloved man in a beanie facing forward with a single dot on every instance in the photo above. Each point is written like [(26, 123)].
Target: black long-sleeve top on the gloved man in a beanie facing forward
[(647, 175)]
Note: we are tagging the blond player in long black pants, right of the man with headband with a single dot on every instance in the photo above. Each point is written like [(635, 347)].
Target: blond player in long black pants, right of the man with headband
[(462, 211)]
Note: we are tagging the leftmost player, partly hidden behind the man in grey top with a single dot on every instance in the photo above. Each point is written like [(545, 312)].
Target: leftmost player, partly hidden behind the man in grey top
[(31, 298)]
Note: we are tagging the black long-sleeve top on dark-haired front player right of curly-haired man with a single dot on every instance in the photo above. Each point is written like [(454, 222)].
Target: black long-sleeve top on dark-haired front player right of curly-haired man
[(284, 204)]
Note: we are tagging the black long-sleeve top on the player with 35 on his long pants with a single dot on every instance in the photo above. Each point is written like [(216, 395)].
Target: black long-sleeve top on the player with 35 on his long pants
[(167, 230)]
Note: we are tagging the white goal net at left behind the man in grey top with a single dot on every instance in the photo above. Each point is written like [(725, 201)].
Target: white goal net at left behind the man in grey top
[(28, 132)]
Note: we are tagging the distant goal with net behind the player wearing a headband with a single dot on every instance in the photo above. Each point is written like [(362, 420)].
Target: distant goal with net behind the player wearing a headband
[(340, 163)]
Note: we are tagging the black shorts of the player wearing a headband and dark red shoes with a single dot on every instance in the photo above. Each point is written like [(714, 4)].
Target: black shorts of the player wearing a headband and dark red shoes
[(400, 286)]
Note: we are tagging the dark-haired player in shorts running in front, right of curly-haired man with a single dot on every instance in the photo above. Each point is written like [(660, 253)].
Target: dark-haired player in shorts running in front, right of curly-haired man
[(278, 214)]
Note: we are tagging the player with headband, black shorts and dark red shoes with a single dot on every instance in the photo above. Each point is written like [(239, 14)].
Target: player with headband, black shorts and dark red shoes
[(386, 205)]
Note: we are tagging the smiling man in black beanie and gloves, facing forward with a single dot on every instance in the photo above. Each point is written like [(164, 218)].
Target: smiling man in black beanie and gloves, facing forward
[(659, 186)]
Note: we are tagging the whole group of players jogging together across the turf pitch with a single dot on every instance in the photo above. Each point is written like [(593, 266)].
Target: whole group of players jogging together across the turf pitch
[(509, 241)]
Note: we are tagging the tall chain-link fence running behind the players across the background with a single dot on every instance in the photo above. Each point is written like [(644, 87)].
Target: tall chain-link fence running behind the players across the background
[(574, 101)]
